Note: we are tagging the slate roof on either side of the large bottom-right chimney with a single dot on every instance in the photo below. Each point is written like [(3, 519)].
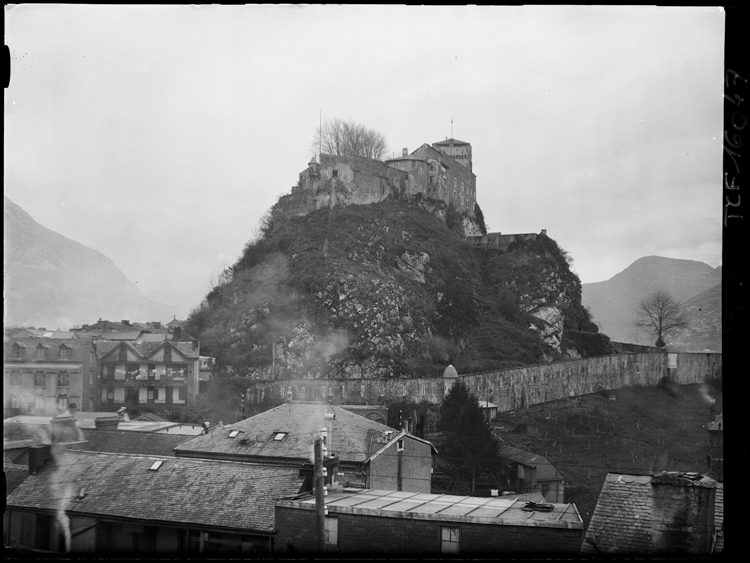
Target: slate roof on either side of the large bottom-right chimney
[(621, 522)]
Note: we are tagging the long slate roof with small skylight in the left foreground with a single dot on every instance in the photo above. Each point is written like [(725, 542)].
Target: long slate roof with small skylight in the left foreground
[(185, 491)]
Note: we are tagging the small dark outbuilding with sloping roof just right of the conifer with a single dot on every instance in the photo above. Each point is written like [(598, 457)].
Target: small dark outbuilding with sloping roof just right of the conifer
[(531, 473)]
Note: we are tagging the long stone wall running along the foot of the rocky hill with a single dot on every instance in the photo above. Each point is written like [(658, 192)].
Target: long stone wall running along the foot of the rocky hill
[(509, 389)]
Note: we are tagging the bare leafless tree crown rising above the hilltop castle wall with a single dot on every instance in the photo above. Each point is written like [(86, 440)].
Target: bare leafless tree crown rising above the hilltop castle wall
[(347, 138)]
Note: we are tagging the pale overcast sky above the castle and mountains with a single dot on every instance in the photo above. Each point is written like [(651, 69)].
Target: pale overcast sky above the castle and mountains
[(160, 135)]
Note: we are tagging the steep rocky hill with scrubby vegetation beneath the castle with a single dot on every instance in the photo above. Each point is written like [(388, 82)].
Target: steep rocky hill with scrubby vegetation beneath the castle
[(389, 289)]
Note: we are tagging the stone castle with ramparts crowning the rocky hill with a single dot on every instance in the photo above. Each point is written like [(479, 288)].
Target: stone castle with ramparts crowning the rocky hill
[(441, 171)]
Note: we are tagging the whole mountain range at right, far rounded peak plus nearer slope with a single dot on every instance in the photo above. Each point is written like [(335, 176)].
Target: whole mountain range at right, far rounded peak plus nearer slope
[(613, 303)]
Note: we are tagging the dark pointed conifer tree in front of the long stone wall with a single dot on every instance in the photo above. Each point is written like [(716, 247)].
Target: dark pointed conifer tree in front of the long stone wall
[(468, 445)]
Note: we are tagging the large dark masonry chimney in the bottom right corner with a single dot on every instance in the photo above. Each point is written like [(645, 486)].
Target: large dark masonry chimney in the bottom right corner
[(682, 512)]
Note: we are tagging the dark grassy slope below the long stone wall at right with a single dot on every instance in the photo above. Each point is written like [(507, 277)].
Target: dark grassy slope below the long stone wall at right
[(640, 430)]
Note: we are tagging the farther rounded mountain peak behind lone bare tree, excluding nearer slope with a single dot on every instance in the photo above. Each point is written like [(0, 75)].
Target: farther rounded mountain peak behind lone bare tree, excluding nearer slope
[(613, 303)]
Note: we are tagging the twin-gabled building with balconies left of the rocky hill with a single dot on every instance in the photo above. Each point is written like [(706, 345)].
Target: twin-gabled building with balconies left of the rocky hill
[(142, 375)]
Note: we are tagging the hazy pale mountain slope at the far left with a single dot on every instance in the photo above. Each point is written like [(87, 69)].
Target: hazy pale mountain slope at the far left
[(55, 282)]
